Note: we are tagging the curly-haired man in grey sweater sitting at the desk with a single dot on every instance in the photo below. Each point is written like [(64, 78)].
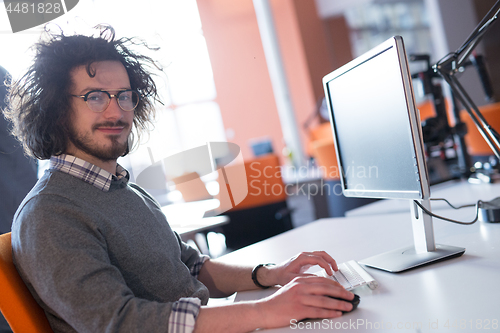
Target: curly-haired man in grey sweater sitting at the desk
[(95, 250)]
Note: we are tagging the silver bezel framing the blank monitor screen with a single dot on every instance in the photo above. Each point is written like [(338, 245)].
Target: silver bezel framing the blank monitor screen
[(395, 43)]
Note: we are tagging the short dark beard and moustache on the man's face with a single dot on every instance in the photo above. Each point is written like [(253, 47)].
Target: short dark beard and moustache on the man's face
[(86, 144)]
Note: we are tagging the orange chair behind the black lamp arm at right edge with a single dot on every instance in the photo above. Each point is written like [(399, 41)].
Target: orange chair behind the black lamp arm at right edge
[(476, 145)]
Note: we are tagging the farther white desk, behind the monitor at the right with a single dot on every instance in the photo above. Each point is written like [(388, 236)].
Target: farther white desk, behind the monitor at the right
[(457, 192)]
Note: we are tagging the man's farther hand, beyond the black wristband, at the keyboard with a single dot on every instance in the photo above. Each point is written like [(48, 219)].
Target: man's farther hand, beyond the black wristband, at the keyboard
[(295, 267)]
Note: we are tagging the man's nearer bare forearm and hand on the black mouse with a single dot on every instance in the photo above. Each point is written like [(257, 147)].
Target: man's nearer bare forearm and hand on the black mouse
[(303, 297)]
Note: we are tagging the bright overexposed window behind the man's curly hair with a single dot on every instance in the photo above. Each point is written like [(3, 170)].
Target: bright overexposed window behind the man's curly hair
[(190, 116)]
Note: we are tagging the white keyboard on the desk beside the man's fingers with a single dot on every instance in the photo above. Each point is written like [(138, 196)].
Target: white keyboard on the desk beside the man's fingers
[(351, 275)]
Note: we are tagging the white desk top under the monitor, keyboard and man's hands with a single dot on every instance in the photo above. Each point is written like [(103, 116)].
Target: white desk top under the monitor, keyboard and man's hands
[(457, 295)]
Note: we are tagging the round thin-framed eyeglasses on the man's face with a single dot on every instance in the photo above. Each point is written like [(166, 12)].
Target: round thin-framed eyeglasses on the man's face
[(98, 100)]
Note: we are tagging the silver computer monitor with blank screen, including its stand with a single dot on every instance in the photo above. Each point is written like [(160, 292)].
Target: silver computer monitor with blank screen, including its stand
[(379, 146)]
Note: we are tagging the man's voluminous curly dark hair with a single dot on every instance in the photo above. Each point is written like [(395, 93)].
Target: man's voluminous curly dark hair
[(39, 102)]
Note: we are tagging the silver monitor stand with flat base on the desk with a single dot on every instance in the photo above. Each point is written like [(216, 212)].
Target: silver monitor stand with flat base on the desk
[(423, 252)]
